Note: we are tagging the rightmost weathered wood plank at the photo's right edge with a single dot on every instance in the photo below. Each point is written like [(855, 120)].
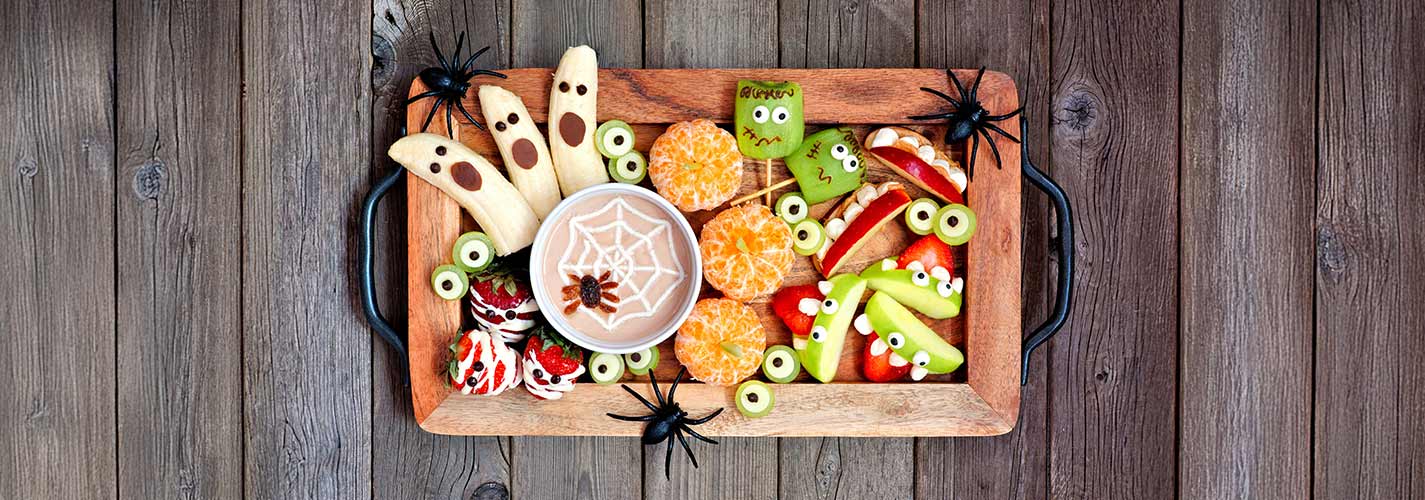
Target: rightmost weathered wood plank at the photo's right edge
[(1370, 387)]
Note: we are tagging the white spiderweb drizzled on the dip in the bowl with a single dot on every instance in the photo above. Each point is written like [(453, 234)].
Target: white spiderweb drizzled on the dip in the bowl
[(629, 253)]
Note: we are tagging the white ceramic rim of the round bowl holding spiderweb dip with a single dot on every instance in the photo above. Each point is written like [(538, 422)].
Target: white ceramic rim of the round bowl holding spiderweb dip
[(552, 307)]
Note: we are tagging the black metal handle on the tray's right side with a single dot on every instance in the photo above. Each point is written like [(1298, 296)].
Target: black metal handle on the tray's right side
[(1064, 246)]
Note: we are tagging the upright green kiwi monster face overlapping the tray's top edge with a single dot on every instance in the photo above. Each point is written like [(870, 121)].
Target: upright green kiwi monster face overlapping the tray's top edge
[(769, 119)]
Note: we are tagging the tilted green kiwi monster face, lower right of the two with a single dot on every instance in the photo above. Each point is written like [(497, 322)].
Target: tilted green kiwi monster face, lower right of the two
[(829, 165)]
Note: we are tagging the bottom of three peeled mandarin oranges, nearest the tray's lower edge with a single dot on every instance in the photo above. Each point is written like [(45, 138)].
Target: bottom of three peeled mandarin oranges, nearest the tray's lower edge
[(722, 343)]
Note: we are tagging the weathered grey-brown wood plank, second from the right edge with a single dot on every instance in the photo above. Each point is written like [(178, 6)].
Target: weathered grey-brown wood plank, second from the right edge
[(1248, 183)]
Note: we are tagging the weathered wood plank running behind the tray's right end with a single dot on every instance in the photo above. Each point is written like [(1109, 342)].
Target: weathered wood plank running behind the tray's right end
[(954, 468)]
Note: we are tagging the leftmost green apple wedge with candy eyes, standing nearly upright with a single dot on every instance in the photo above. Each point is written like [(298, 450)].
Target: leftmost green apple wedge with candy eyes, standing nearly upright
[(829, 331)]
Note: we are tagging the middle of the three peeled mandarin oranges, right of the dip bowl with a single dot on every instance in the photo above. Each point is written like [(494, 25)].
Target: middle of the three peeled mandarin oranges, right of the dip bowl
[(746, 251)]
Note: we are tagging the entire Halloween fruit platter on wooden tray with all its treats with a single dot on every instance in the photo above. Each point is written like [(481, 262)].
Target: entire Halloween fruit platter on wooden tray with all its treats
[(682, 254)]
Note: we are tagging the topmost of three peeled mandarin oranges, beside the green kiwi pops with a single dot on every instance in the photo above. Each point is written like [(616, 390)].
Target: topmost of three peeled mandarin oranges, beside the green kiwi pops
[(696, 166)]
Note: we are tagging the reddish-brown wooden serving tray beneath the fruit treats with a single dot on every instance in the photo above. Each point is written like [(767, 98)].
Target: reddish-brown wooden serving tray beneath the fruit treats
[(980, 400)]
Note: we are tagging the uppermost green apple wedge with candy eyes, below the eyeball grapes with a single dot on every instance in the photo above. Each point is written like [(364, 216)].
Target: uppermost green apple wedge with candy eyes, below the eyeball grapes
[(930, 293)]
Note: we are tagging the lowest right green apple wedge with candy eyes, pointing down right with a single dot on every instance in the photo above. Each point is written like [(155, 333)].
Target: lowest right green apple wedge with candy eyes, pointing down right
[(908, 337)]
